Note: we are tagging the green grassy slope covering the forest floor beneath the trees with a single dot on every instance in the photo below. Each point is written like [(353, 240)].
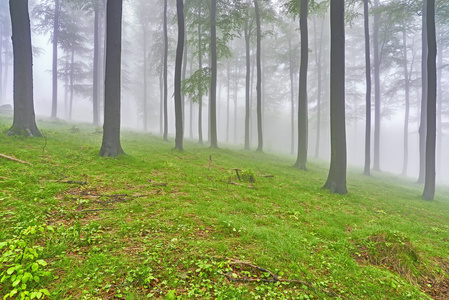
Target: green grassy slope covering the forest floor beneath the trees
[(163, 224)]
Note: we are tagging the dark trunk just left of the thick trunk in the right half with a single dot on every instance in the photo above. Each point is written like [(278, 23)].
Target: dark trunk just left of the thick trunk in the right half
[(303, 118)]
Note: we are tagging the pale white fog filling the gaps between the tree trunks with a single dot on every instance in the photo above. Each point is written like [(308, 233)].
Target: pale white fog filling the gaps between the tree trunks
[(276, 87)]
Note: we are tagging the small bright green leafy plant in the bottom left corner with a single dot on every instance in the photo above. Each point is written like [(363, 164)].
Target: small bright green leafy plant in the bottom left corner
[(21, 269)]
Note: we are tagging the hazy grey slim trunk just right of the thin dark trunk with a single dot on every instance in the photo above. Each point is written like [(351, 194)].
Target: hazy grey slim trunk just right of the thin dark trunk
[(376, 162)]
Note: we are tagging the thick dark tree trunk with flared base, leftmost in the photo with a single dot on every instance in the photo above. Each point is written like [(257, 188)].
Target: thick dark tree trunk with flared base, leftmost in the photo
[(24, 119)]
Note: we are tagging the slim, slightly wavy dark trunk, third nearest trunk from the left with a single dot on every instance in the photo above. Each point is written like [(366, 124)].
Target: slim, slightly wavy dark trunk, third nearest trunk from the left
[(178, 70)]
